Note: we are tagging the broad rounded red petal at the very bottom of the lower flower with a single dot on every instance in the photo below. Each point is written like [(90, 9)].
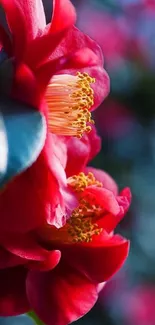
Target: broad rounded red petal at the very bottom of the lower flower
[(61, 296)]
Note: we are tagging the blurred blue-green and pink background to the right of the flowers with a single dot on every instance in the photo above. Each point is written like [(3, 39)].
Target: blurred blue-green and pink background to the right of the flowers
[(125, 30)]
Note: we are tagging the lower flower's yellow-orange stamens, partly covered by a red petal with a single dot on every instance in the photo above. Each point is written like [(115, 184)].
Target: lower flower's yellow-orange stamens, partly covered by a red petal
[(81, 225)]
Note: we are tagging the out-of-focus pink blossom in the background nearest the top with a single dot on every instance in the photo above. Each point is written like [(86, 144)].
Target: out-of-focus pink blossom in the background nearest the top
[(107, 30)]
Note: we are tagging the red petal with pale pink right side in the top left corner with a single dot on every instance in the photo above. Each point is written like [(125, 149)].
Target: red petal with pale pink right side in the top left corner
[(30, 16)]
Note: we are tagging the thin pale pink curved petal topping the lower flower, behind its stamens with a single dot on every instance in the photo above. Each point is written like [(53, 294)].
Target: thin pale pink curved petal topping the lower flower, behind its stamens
[(103, 177)]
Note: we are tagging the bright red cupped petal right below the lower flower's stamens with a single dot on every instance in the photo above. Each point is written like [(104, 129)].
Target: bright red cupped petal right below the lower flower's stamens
[(98, 260)]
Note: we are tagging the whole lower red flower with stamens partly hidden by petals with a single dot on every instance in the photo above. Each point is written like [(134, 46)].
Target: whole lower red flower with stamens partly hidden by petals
[(63, 267)]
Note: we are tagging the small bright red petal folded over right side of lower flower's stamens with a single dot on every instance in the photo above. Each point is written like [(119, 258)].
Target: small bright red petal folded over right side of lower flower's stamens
[(105, 198)]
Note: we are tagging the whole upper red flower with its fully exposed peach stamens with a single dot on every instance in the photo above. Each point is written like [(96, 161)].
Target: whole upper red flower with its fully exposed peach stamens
[(45, 61)]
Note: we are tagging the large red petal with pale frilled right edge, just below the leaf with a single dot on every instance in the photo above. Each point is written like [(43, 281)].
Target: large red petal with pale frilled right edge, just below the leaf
[(39, 195)]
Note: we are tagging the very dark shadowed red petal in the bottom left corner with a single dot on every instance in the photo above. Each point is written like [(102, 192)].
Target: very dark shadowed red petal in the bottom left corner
[(13, 300)]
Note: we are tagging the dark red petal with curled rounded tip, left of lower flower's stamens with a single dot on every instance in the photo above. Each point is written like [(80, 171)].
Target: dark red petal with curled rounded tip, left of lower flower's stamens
[(25, 249)]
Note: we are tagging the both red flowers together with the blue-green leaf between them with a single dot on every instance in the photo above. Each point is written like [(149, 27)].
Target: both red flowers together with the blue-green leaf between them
[(57, 215)]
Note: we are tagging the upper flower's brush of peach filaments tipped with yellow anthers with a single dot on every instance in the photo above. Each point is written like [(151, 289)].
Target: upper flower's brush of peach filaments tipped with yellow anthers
[(69, 99)]
